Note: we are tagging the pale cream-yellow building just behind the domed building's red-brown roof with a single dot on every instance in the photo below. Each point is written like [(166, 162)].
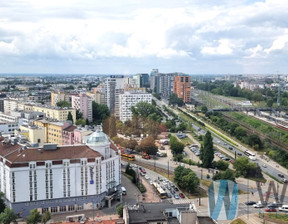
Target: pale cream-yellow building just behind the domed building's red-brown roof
[(34, 134)]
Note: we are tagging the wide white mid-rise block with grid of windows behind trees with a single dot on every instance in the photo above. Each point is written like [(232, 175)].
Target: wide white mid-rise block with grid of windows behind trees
[(129, 99)]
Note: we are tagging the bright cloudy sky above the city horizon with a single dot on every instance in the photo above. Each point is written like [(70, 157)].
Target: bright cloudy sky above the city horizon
[(136, 36)]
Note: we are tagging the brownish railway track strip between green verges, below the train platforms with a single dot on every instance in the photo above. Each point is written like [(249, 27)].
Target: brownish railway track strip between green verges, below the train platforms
[(261, 135)]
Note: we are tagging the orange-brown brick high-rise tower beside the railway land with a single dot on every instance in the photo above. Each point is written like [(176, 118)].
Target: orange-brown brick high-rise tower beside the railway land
[(182, 87)]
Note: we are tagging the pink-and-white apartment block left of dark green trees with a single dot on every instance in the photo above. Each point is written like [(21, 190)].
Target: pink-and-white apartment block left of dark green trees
[(83, 103)]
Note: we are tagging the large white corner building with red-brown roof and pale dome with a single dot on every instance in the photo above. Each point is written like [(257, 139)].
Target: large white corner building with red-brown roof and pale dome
[(59, 179)]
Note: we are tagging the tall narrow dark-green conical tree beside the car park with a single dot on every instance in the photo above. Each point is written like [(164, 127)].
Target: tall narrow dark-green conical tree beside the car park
[(207, 151)]
